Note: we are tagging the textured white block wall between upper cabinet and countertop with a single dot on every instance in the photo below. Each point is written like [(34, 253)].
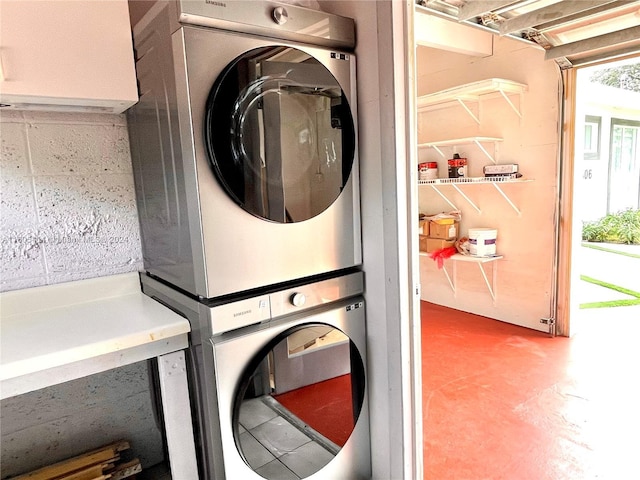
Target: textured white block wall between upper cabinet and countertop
[(67, 208)]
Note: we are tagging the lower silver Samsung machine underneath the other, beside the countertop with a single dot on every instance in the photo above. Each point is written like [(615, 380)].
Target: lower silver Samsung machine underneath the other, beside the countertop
[(279, 381)]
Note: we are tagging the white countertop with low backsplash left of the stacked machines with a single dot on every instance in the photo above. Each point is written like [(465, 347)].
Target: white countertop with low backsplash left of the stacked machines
[(56, 333)]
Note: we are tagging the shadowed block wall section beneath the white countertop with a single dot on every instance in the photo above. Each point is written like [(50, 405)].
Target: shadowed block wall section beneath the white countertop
[(54, 423)]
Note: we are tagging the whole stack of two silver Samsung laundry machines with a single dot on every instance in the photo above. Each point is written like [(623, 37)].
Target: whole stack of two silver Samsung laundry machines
[(245, 160)]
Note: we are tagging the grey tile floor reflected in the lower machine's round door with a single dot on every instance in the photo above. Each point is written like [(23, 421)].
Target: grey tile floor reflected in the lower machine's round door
[(274, 447)]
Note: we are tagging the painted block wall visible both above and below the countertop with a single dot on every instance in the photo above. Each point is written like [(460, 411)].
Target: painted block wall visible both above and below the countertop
[(68, 212)]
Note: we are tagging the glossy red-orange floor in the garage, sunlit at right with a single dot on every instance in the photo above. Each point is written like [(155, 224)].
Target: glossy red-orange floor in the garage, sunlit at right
[(505, 402)]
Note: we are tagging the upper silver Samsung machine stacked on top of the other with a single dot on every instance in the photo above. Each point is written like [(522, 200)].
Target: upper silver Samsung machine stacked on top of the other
[(244, 144)]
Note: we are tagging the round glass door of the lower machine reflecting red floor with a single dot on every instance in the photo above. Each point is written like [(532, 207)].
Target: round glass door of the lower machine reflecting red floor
[(288, 421)]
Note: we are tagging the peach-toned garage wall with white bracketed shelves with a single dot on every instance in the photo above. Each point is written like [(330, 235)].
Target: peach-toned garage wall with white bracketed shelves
[(494, 107)]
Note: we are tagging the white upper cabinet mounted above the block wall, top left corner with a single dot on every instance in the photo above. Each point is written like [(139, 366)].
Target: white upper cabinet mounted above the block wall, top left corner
[(66, 55)]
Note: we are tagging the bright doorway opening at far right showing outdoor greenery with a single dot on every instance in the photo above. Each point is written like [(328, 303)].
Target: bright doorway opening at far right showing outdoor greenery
[(606, 191)]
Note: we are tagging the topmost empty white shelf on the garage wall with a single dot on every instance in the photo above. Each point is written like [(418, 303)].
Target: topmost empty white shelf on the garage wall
[(471, 91)]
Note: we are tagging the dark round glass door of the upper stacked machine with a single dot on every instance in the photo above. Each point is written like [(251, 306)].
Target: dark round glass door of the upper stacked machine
[(279, 134)]
